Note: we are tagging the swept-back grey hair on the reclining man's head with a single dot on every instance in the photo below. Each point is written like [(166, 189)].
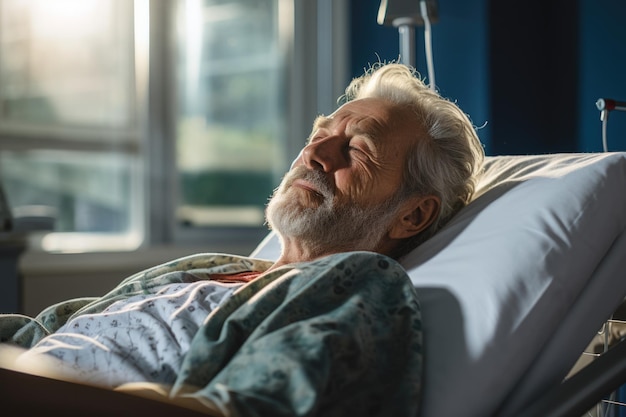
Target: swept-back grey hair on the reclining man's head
[(445, 162)]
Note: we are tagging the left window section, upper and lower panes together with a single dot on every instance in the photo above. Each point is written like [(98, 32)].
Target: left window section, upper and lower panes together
[(69, 130)]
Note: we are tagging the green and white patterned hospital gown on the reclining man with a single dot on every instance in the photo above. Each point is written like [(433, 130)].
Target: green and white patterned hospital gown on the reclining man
[(337, 336)]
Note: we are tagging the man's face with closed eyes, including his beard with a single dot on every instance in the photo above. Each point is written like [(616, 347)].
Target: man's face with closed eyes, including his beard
[(344, 182)]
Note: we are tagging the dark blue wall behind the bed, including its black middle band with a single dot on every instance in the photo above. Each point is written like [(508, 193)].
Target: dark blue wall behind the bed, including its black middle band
[(529, 76)]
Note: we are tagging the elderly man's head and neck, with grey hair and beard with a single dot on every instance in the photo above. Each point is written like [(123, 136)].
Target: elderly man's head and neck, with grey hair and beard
[(382, 173)]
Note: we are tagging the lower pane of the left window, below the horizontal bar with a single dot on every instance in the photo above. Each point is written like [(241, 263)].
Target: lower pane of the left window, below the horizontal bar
[(70, 191)]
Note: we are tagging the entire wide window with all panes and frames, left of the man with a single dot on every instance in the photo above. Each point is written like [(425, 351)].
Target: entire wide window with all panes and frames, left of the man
[(128, 123)]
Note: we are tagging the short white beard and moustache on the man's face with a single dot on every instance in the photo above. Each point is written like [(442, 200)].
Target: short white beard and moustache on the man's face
[(330, 226)]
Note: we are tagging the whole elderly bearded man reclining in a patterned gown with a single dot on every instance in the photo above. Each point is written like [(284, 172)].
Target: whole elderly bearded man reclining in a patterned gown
[(333, 326)]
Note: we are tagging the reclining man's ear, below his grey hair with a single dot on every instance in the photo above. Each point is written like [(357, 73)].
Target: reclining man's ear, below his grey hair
[(415, 215)]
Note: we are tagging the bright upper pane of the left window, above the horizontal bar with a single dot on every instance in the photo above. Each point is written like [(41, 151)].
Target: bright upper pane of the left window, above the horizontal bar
[(66, 62)]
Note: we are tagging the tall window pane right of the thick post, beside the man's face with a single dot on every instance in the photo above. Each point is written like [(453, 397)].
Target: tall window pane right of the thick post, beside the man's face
[(230, 127)]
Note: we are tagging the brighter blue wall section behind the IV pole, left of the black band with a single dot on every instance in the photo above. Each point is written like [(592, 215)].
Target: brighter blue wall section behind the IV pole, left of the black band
[(459, 52)]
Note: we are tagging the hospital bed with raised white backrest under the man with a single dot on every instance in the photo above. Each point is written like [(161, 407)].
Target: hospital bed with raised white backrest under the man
[(512, 290)]
